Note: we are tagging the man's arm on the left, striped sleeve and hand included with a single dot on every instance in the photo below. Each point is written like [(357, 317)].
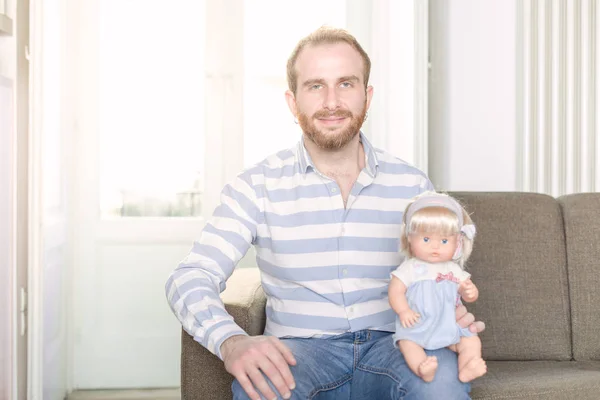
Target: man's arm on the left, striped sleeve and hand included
[(193, 294)]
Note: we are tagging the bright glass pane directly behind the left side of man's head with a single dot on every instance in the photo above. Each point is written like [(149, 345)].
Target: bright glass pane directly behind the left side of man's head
[(265, 67)]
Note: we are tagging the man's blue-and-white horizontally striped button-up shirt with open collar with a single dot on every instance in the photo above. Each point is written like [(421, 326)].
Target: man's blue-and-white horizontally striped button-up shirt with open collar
[(324, 268)]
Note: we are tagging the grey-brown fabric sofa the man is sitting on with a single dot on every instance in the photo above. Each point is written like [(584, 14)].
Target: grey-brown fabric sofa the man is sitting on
[(536, 263)]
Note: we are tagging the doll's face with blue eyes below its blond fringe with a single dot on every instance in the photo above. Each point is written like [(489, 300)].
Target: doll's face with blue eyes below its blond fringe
[(433, 247)]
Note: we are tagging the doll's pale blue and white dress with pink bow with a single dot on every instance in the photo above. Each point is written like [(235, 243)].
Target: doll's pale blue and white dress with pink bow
[(432, 291)]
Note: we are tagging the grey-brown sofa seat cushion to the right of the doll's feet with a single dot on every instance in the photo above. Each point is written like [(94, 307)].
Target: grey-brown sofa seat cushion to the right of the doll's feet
[(529, 380)]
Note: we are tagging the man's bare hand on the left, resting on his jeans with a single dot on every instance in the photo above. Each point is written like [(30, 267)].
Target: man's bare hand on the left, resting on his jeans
[(246, 356)]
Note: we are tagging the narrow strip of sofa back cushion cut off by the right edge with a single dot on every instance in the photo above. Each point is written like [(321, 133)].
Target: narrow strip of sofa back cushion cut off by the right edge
[(582, 227)]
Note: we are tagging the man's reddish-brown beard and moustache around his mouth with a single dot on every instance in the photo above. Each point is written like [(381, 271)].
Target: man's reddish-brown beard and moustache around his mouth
[(328, 141)]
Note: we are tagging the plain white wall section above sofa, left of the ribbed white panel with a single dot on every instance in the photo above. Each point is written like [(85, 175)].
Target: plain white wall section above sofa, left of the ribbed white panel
[(472, 119)]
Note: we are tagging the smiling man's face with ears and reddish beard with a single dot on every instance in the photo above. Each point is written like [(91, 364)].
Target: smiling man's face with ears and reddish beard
[(331, 100)]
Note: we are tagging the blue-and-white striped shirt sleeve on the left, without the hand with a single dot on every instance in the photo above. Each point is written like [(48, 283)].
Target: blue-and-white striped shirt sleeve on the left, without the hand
[(193, 288)]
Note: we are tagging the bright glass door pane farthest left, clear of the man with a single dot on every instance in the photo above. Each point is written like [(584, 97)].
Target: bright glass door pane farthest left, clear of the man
[(151, 107)]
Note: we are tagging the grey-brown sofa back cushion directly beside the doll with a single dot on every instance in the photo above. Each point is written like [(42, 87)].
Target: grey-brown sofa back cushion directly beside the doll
[(519, 264)]
